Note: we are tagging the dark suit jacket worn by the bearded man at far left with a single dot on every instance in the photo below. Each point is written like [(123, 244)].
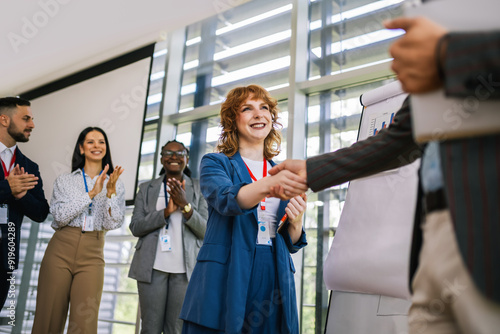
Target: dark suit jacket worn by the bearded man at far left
[(33, 204)]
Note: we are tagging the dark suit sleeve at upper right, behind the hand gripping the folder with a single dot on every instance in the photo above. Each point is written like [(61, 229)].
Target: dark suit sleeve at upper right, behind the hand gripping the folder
[(472, 65)]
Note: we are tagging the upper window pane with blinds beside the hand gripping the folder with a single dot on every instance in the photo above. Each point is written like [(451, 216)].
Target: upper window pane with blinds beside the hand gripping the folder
[(348, 34)]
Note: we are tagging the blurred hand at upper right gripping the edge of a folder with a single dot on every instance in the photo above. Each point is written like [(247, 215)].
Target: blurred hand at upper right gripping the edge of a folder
[(415, 54)]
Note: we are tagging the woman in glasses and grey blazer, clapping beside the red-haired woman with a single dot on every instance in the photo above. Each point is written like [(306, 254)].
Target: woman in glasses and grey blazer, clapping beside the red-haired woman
[(170, 219)]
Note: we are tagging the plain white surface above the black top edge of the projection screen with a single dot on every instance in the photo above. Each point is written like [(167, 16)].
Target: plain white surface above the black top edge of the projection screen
[(44, 40)]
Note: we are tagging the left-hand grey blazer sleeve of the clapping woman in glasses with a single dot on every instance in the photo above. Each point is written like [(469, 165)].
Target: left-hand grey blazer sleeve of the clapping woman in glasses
[(144, 222)]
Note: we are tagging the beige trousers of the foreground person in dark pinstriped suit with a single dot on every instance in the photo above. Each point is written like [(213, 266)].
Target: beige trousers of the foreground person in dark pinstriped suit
[(445, 299)]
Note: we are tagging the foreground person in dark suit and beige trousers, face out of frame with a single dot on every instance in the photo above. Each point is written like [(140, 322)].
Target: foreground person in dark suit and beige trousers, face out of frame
[(456, 246)]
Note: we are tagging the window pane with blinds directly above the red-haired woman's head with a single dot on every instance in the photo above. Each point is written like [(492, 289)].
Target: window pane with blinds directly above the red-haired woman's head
[(244, 45)]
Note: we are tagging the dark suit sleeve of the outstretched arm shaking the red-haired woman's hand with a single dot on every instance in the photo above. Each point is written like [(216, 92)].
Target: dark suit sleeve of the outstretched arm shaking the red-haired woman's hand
[(390, 148)]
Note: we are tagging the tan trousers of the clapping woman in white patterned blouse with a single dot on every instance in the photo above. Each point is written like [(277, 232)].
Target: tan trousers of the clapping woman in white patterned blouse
[(71, 273)]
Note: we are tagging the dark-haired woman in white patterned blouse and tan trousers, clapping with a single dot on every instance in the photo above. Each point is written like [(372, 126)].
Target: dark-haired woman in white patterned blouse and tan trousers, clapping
[(85, 204)]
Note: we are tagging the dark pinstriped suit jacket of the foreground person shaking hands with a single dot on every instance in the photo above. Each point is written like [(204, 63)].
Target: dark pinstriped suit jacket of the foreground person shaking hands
[(471, 166)]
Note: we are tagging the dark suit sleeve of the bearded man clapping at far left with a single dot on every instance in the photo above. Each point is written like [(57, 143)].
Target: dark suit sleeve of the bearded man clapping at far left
[(33, 204)]
